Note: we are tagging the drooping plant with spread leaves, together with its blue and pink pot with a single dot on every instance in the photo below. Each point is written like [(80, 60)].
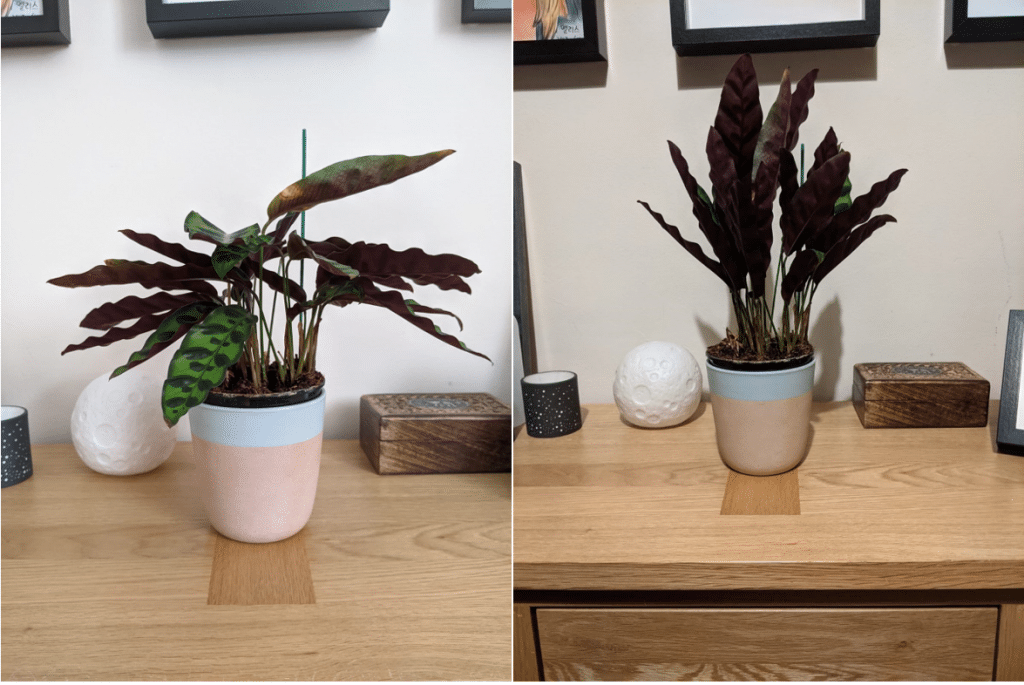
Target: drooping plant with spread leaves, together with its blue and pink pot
[(255, 398)]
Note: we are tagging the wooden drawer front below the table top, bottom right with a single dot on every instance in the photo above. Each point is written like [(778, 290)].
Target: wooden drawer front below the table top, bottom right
[(767, 645)]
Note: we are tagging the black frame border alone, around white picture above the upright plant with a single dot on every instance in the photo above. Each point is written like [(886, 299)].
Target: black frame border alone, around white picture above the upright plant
[(739, 40)]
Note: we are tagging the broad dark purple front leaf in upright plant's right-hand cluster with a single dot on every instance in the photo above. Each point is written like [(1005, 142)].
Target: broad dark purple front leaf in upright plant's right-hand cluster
[(813, 206)]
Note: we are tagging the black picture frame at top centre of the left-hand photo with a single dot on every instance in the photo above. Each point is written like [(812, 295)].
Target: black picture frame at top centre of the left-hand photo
[(234, 18)]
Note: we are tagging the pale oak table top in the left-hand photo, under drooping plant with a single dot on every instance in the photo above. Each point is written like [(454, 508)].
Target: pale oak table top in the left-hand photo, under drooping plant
[(395, 578)]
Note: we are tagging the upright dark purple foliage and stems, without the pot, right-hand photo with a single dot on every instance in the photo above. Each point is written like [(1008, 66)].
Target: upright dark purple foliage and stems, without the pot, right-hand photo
[(751, 158)]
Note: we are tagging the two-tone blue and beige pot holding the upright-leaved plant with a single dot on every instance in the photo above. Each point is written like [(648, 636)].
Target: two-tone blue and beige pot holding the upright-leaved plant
[(762, 418)]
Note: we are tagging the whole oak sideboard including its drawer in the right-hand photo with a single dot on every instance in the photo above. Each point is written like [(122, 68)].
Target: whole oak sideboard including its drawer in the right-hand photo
[(889, 554)]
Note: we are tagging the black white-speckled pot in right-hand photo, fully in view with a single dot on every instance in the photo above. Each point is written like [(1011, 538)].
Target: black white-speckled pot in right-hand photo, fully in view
[(551, 401)]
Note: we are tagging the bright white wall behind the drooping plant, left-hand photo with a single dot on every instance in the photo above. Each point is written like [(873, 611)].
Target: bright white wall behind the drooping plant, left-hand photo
[(120, 131)]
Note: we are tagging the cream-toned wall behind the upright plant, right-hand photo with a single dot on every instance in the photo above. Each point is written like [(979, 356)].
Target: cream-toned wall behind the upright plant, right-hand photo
[(936, 286)]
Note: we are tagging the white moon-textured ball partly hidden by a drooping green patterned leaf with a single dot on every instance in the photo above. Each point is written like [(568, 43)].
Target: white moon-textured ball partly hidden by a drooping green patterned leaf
[(118, 427)]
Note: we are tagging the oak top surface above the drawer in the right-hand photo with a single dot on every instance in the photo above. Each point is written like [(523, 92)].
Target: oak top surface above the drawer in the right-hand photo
[(615, 507)]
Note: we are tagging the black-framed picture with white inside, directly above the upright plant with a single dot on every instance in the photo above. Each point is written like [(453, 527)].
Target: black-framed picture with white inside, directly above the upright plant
[(736, 27)]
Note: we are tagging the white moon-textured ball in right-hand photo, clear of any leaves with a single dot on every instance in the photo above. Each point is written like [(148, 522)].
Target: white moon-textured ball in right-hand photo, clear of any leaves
[(658, 386)]
